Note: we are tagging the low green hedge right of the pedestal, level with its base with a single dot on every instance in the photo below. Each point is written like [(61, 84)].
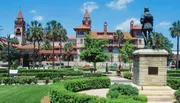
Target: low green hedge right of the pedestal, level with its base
[(173, 83)]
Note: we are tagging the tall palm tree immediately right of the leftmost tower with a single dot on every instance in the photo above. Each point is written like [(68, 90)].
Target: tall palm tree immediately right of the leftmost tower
[(35, 32)]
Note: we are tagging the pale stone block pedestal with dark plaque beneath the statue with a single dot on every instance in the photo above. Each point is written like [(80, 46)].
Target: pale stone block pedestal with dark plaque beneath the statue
[(150, 67)]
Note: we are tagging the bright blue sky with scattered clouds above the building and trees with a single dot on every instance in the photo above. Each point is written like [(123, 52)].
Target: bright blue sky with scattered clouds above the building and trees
[(117, 13)]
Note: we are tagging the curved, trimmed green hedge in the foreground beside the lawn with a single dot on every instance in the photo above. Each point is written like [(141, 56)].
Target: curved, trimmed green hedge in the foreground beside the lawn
[(62, 92)]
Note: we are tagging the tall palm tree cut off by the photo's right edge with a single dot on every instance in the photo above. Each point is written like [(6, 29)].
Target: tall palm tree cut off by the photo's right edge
[(175, 32)]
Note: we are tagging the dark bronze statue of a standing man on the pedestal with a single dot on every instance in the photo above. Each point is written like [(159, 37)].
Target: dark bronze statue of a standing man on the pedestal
[(147, 27)]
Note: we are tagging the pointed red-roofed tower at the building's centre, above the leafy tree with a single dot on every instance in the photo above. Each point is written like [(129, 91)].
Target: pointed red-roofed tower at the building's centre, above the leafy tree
[(86, 20)]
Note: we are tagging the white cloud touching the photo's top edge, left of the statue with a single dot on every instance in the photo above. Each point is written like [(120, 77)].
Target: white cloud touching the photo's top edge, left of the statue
[(119, 4)]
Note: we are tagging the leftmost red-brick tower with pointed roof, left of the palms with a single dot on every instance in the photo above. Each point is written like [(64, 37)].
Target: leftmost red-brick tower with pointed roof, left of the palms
[(19, 27)]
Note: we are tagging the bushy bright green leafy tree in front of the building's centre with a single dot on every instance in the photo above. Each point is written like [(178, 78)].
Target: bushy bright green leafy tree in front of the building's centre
[(93, 50)]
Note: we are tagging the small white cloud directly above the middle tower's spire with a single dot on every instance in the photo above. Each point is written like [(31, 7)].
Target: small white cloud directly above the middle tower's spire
[(90, 6)]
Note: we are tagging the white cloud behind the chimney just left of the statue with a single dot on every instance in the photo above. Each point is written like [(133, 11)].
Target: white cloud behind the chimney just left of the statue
[(125, 26)]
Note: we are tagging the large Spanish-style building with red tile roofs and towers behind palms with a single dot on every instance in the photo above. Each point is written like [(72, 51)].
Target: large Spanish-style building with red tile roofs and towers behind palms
[(112, 48)]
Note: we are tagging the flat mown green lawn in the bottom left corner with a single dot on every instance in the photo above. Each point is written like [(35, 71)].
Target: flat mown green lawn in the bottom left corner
[(23, 93)]
